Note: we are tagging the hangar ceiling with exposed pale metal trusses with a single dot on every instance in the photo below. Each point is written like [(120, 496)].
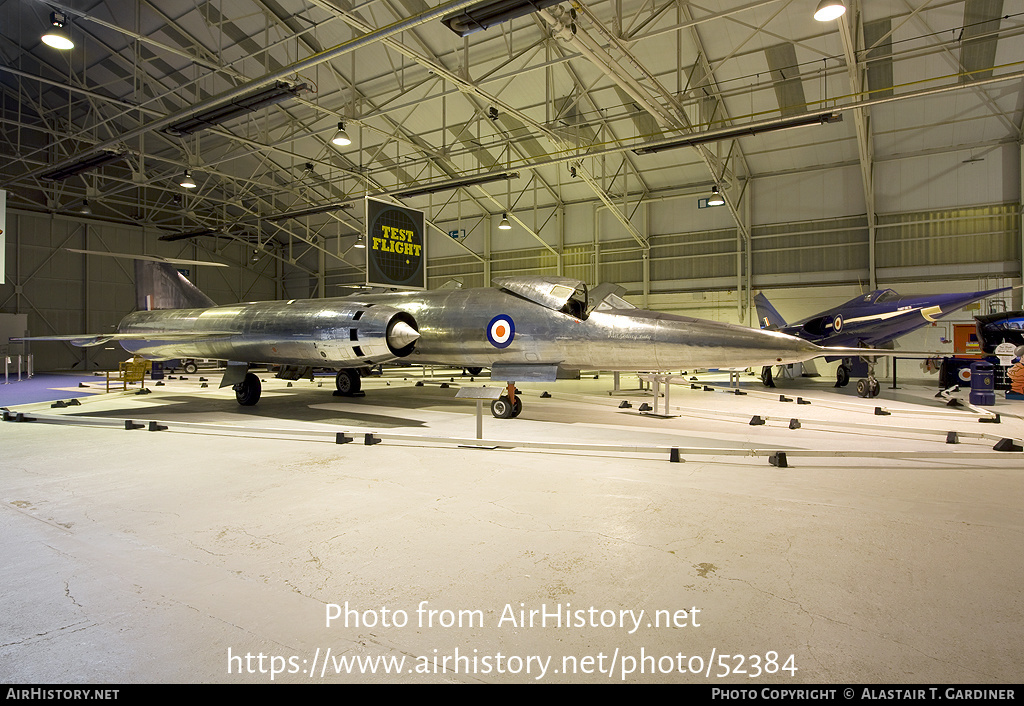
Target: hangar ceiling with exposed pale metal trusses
[(564, 97)]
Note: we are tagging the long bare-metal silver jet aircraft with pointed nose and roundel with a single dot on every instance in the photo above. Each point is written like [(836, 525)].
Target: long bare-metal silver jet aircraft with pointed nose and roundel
[(526, 329)]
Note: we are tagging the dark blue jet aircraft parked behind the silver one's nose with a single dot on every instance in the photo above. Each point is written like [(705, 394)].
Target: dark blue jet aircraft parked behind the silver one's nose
[(870, 321)]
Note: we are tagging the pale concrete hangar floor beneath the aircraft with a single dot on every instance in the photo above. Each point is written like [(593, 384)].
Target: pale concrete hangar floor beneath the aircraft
[(185, 556)]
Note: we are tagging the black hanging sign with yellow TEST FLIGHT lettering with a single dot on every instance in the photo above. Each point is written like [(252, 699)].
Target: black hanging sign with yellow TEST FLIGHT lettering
[(396, 246)]
